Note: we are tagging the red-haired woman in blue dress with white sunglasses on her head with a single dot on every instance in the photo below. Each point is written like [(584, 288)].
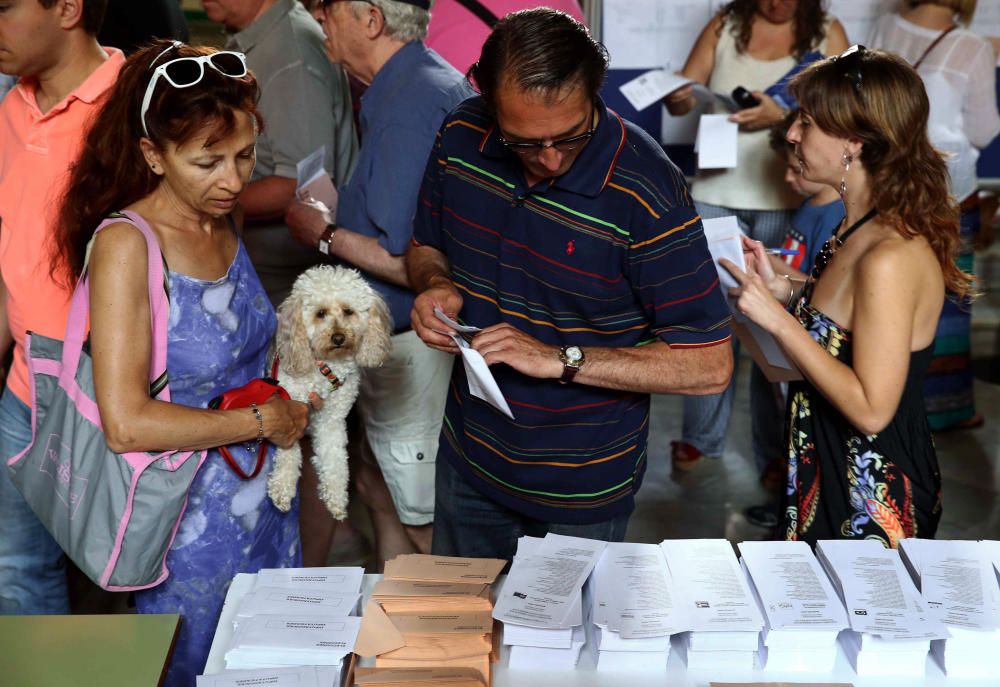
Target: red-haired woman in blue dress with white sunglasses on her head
[(175, 145)]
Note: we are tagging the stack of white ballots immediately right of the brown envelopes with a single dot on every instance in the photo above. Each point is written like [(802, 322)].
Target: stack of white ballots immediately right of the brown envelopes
[(541, 604)]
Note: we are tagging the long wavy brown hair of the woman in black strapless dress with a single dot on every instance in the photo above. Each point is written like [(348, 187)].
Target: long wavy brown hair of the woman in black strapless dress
[(877, 98)]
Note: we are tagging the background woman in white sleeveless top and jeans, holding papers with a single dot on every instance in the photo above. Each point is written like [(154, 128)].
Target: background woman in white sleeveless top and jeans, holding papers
[(753, 44)]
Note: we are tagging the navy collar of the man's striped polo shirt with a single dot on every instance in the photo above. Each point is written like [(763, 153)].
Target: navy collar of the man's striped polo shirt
[(593, 166)]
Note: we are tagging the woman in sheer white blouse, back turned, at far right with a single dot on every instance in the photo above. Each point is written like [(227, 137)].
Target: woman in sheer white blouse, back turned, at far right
[(958, 68)]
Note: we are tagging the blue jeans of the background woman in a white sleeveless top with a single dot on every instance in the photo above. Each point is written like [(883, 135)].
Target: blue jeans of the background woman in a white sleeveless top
[(706, 418)]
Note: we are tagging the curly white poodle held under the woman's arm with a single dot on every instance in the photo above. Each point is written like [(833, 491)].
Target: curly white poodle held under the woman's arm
[(331, 325)]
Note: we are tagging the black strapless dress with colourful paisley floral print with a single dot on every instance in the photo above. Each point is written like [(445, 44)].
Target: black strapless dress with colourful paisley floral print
[(843, 484)]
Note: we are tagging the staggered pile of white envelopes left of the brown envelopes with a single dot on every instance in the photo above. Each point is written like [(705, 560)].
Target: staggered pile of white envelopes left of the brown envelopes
[(297, 617)]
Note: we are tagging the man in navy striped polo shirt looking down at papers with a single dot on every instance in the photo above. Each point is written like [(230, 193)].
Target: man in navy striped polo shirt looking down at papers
[(567, 235)]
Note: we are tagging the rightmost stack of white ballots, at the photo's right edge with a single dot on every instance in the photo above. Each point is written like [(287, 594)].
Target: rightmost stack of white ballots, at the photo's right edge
[(959, 583)]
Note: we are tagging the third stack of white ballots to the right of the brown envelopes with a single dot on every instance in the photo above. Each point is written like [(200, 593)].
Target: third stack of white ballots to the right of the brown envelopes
[(713, 589)]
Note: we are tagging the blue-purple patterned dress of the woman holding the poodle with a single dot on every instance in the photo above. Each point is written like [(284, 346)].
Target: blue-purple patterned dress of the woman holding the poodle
[(218, 337)]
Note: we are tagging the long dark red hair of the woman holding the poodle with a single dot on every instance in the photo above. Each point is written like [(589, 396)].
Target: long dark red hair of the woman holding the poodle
[(111, 172)]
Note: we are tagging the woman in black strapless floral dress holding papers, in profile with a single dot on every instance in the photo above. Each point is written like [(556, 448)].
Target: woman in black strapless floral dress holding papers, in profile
[(861, 457)]
